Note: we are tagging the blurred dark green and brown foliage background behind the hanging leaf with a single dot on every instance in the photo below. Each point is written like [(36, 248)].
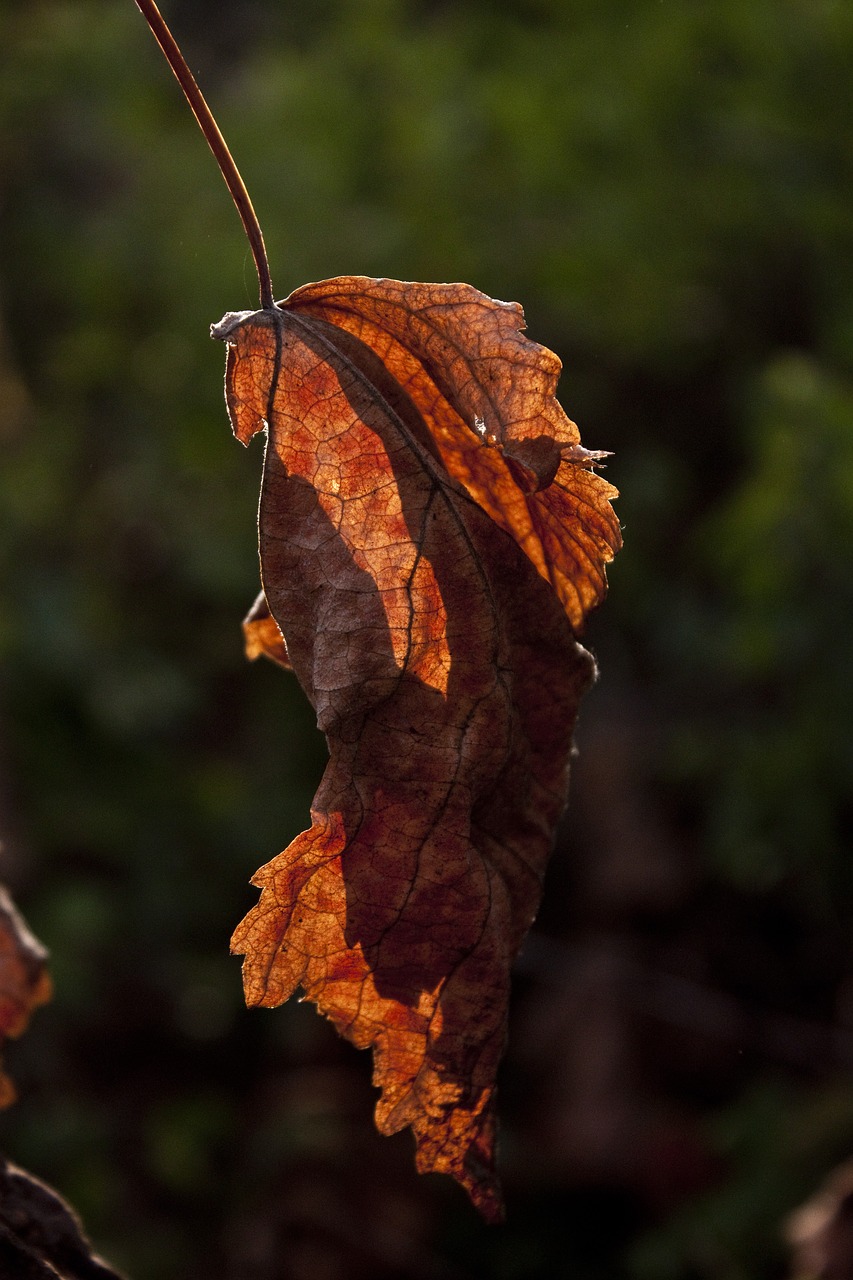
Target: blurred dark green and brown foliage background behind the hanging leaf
[(665, 185)]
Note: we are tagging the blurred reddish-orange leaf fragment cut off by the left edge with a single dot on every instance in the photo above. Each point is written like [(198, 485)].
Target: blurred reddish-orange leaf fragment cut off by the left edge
[(25, 982)]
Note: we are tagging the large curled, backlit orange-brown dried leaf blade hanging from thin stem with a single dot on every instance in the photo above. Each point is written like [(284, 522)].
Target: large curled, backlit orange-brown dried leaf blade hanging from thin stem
[(432, 537)]
